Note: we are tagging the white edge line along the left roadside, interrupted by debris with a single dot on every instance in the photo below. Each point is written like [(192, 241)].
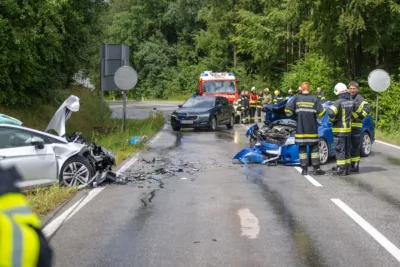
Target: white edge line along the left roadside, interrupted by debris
[(52, 227)]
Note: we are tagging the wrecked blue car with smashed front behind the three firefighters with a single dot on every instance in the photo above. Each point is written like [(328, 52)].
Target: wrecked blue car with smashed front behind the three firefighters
[(274, 143)]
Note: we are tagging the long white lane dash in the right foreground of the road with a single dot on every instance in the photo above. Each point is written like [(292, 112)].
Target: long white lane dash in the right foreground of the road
[(381, 239)]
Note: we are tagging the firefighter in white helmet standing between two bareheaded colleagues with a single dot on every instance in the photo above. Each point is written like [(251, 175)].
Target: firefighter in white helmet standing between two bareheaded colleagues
[(340, 114)]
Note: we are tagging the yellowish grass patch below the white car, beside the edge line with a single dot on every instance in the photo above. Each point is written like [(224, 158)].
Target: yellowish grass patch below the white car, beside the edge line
[(44, 200)]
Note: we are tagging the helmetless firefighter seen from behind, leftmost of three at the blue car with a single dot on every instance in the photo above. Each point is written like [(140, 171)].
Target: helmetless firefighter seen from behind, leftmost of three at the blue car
[(306, 108)]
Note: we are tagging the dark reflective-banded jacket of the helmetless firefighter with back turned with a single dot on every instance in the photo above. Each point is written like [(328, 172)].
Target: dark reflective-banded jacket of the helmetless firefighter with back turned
[(306, 108)]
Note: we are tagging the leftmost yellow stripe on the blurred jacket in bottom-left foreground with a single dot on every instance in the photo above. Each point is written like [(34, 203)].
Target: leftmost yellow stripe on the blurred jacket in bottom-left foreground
[(6, 241)]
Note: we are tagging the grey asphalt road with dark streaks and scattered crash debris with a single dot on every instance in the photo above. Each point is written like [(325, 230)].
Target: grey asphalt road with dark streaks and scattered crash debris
[(199, 209)]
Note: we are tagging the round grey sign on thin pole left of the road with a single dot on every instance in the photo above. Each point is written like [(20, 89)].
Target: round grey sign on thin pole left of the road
[(125, 79)]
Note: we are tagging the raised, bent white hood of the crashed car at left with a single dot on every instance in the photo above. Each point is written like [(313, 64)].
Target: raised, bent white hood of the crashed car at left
[(64, 112)]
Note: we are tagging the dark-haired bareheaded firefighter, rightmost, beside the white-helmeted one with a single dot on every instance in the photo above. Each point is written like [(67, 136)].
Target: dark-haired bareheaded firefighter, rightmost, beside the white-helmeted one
[(362, 110)]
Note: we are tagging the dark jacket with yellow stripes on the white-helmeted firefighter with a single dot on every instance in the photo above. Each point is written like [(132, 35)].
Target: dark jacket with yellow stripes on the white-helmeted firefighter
[(340, 113)]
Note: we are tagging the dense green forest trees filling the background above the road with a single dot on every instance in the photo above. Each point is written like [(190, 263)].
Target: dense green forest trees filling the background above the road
[(266, 43)]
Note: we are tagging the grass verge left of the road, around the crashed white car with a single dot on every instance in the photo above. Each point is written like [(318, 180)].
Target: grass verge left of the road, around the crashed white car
[(105, 132)]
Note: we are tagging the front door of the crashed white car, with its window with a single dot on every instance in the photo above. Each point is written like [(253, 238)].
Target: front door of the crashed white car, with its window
[(32, 162)]
